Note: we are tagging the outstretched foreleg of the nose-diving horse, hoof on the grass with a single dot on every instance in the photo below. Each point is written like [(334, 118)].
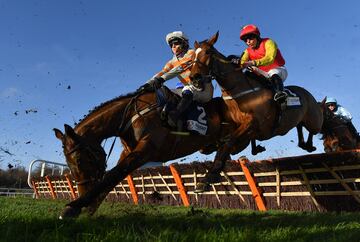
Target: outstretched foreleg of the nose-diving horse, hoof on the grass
[(132, 161)]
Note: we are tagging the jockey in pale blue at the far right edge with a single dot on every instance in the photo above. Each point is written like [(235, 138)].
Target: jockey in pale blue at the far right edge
[(342, 113)]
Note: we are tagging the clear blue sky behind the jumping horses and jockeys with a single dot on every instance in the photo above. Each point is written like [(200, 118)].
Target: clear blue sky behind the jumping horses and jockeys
[(59, 59)]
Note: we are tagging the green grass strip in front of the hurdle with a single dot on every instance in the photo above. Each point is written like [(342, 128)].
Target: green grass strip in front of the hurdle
[(25, 219)]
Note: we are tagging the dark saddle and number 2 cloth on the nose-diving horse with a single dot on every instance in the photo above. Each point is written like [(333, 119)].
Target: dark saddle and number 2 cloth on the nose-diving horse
[(194, 119)]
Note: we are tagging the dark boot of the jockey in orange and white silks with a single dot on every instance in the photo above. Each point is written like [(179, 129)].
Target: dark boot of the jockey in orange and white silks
[(174, 119)]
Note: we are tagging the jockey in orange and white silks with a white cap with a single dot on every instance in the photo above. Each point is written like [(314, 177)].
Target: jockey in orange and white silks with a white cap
[(179, 66)]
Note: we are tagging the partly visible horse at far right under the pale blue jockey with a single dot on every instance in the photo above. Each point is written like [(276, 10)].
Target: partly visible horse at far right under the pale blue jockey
[(335, 132)]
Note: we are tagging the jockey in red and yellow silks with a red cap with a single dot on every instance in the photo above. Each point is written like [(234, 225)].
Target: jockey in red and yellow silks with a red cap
[(264, 54)]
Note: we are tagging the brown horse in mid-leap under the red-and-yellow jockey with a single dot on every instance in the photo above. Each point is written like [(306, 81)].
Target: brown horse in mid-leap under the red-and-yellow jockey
[(249, 104)]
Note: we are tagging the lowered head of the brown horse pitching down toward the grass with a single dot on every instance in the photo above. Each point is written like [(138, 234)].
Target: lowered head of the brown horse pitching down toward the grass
[(85, 158)]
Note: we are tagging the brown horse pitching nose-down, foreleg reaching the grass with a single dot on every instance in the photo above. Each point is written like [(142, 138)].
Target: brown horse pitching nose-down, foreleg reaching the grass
[(135, 119)]
